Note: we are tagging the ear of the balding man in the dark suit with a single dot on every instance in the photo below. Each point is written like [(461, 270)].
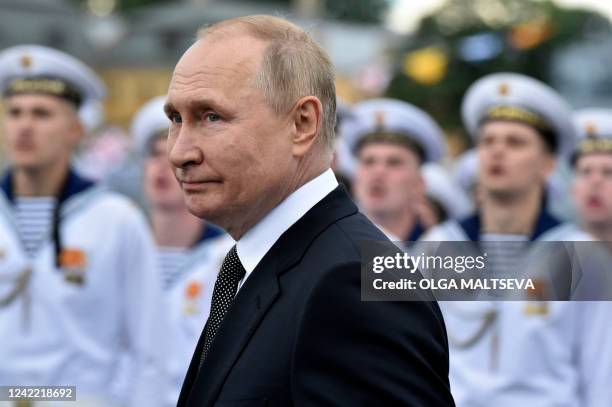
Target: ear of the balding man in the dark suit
[(307, 118)]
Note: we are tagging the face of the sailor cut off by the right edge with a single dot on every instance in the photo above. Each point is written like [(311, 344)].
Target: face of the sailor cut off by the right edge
[(593, 188)]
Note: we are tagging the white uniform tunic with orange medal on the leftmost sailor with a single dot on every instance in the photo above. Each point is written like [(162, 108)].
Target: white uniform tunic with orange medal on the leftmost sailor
[(71, 325)]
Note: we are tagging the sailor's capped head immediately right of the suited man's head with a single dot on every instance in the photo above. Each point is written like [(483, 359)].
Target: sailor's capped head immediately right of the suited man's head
[(390, 140)]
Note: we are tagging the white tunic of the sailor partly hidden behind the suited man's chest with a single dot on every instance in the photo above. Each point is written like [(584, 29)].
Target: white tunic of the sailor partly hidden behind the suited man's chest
[(189, 297)]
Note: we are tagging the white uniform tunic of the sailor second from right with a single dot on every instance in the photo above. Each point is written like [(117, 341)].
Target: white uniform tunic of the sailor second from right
[(520, 353)]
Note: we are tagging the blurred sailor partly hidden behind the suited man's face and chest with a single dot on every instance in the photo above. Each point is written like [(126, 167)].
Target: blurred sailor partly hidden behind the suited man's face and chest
[(190, 251)]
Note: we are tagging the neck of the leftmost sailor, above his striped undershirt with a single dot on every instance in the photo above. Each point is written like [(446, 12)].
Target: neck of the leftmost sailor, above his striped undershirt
[(45, 181)]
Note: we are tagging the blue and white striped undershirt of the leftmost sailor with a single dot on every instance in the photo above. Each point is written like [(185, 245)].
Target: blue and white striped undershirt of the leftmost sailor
[(34, 217)]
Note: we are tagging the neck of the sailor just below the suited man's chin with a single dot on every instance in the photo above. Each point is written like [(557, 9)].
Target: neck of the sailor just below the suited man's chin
[(176, 228)]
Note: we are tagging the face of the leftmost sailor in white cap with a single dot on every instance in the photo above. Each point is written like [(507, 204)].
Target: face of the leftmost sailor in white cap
[(40, 130)]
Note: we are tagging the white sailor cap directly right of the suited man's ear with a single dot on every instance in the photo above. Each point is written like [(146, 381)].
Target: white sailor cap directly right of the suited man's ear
[(397, 119)]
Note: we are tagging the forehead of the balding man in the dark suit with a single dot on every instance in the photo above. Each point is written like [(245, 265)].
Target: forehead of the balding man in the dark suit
[(217, 64)]
